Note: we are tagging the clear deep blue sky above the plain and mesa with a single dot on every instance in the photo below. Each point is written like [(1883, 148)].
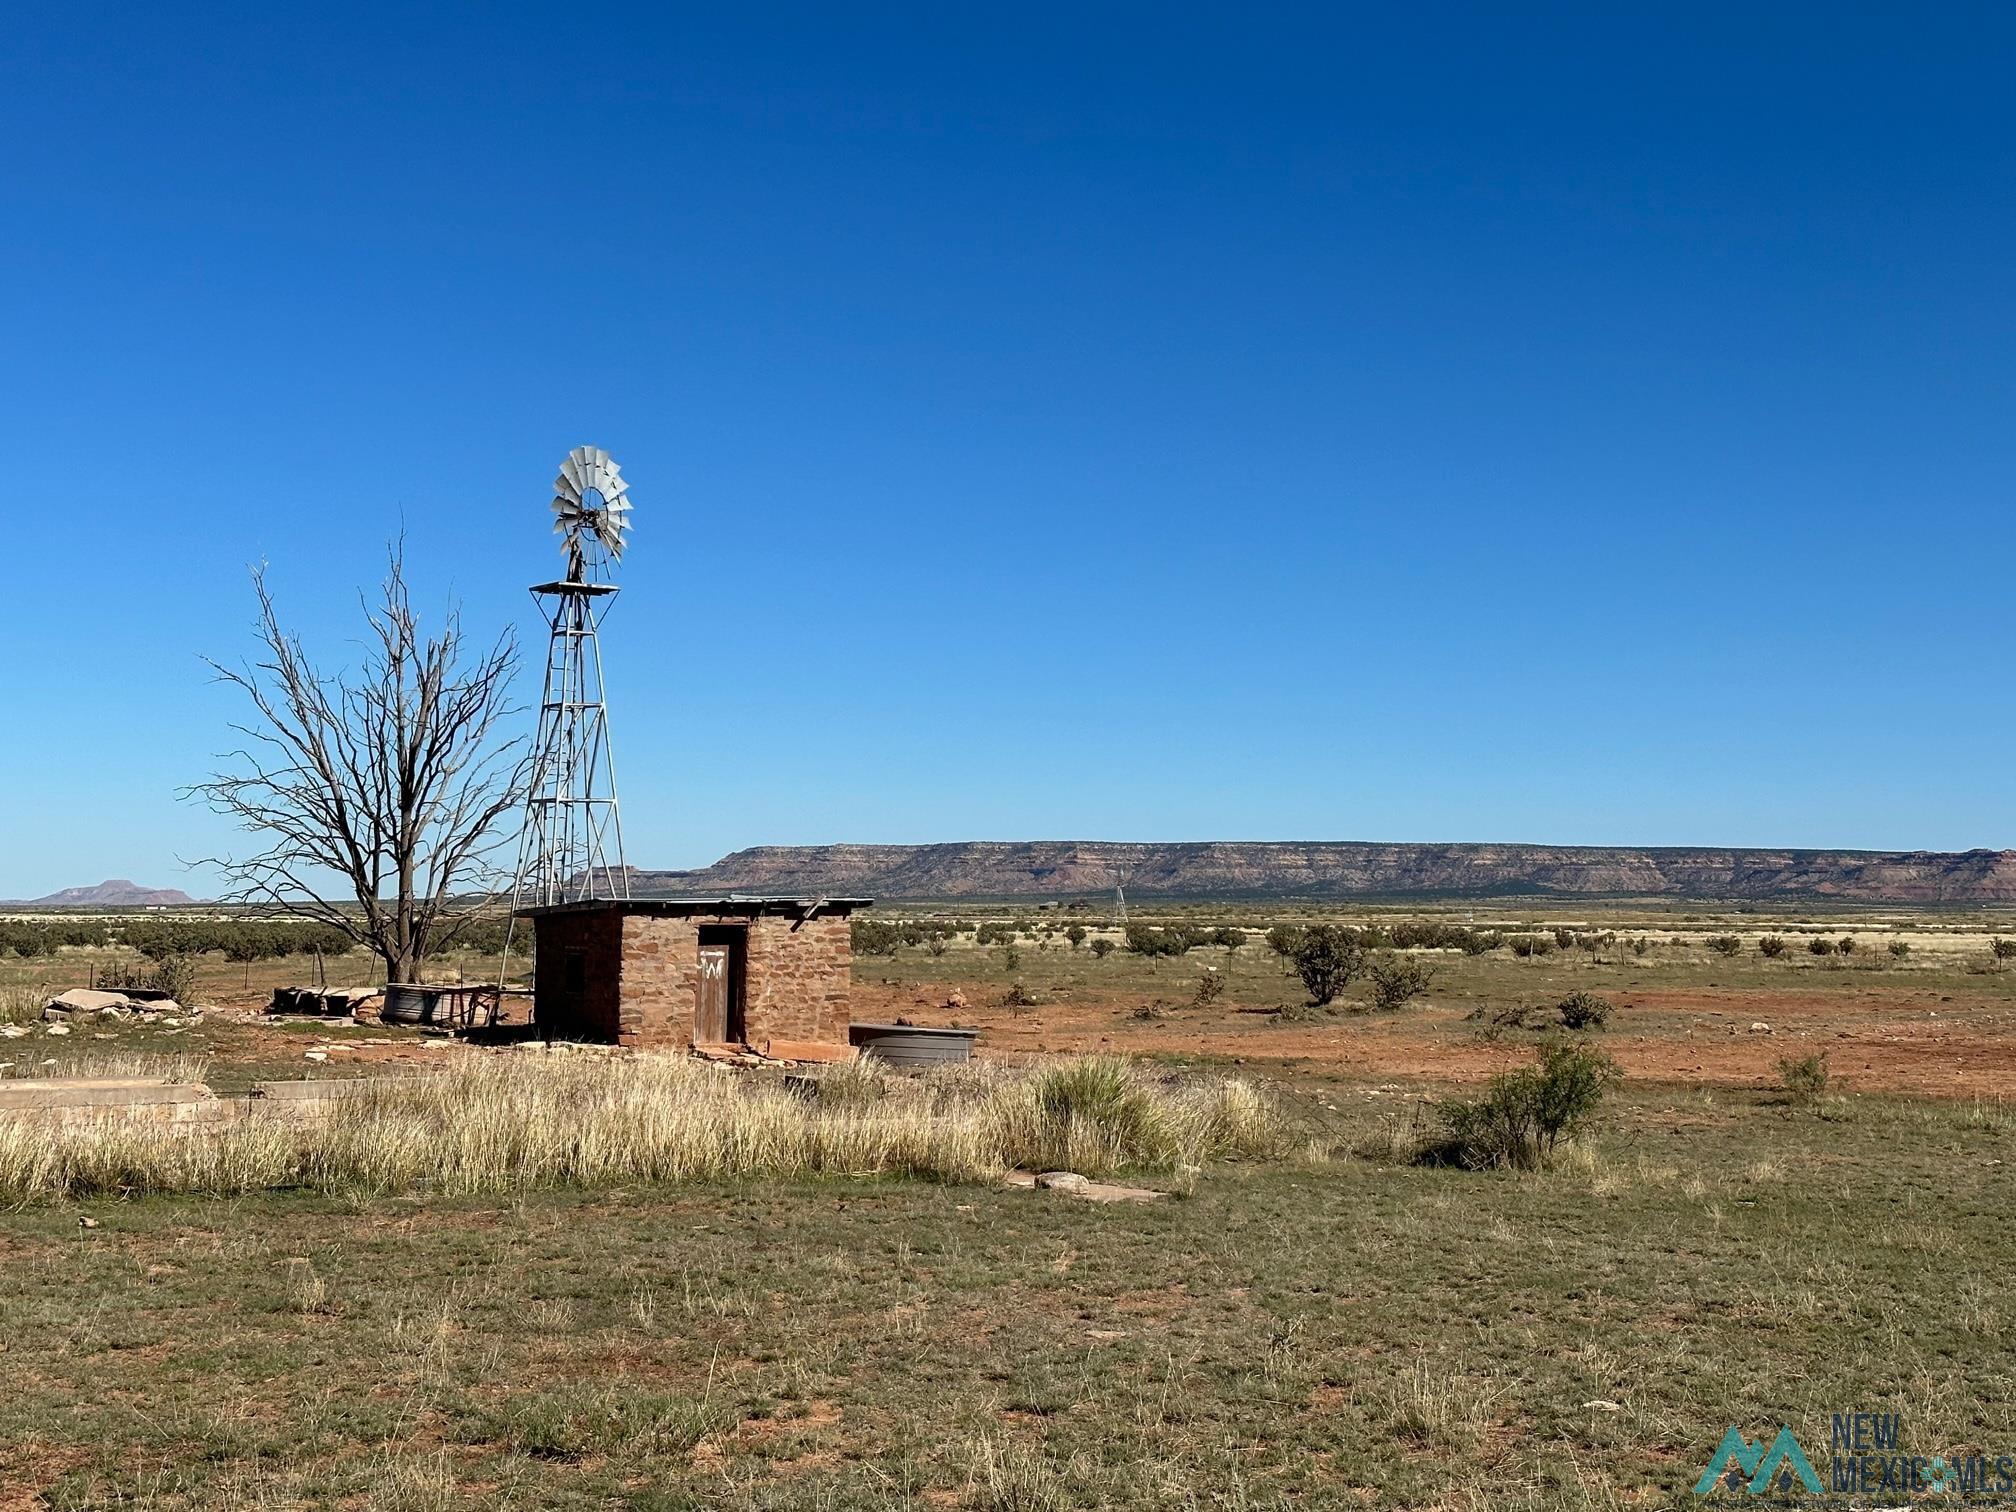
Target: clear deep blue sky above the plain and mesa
[(1110, 422)]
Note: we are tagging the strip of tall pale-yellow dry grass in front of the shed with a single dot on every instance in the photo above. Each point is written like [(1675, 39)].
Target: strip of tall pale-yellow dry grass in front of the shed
[(505, 1124)]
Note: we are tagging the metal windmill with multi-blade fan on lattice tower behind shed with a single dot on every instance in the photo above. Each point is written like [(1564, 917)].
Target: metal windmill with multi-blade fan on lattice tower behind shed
[(572, 846)]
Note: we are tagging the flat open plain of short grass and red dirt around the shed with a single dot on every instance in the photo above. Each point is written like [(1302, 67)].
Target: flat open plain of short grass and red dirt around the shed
[(1336, 1330)]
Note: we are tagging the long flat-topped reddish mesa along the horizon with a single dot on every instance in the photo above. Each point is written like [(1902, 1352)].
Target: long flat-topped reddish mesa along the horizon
[(1319, 870)]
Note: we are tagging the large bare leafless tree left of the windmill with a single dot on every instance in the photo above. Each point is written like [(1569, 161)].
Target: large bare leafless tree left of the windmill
[(388, 781)]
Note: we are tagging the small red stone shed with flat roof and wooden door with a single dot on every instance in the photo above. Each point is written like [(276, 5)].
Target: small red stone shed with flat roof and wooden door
[(761, 973)]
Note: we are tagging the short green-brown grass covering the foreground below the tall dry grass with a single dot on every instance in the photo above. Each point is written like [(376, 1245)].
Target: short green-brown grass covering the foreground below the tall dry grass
[(1352, 1334)]
